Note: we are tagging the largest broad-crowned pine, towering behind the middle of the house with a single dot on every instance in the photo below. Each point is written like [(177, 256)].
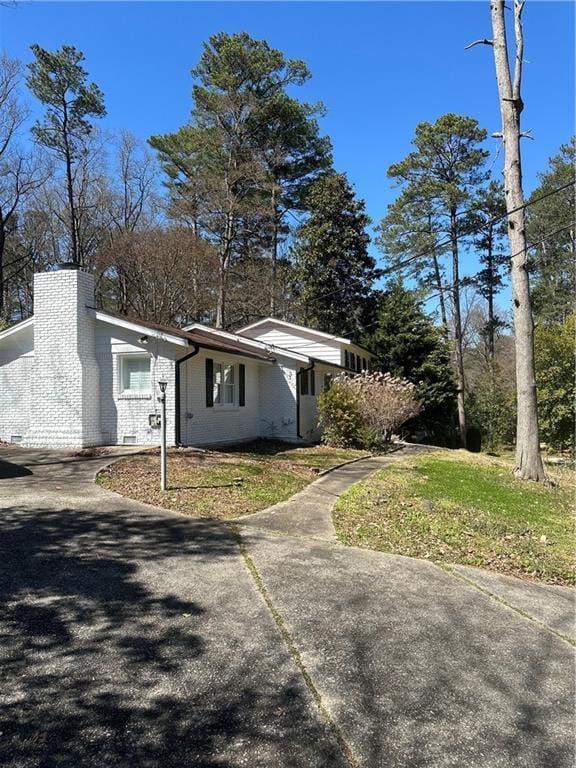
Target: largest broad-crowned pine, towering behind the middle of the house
[(235, 169)]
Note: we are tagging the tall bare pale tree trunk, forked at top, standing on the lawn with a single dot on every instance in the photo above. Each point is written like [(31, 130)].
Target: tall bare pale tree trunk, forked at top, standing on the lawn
[(528, 459)]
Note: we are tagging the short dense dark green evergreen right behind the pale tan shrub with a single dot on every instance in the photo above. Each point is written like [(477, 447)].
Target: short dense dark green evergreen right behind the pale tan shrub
[(407, 344)]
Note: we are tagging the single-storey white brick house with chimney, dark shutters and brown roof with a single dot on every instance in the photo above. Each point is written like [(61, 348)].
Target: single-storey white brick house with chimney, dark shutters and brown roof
[(74, 376)]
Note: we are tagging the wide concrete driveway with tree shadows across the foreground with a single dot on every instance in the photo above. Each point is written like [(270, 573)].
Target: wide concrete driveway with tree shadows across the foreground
[(131, 636)]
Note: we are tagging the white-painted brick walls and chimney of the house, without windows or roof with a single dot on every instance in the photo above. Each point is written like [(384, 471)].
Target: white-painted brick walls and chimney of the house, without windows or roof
[(60, 380)]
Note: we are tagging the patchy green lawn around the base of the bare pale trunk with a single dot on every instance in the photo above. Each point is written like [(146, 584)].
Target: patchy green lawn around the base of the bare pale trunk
[(456, 507)]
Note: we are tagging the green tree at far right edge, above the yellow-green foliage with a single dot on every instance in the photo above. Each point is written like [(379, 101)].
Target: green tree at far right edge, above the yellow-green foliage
[(551, 227)]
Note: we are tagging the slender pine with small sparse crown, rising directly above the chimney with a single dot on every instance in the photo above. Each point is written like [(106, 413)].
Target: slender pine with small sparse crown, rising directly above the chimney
[(58, 81)]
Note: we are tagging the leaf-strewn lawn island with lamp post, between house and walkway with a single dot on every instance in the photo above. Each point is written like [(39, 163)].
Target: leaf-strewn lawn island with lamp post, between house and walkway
[(223, 484)]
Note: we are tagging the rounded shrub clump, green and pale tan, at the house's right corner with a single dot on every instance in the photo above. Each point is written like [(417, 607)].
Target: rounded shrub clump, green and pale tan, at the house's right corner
[(365, 410)]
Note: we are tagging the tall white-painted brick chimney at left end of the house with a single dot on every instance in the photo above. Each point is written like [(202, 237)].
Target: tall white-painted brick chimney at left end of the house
[(66, 379)]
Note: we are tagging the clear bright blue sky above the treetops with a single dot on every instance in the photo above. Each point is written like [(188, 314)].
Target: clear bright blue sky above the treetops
[(379, 68)]
